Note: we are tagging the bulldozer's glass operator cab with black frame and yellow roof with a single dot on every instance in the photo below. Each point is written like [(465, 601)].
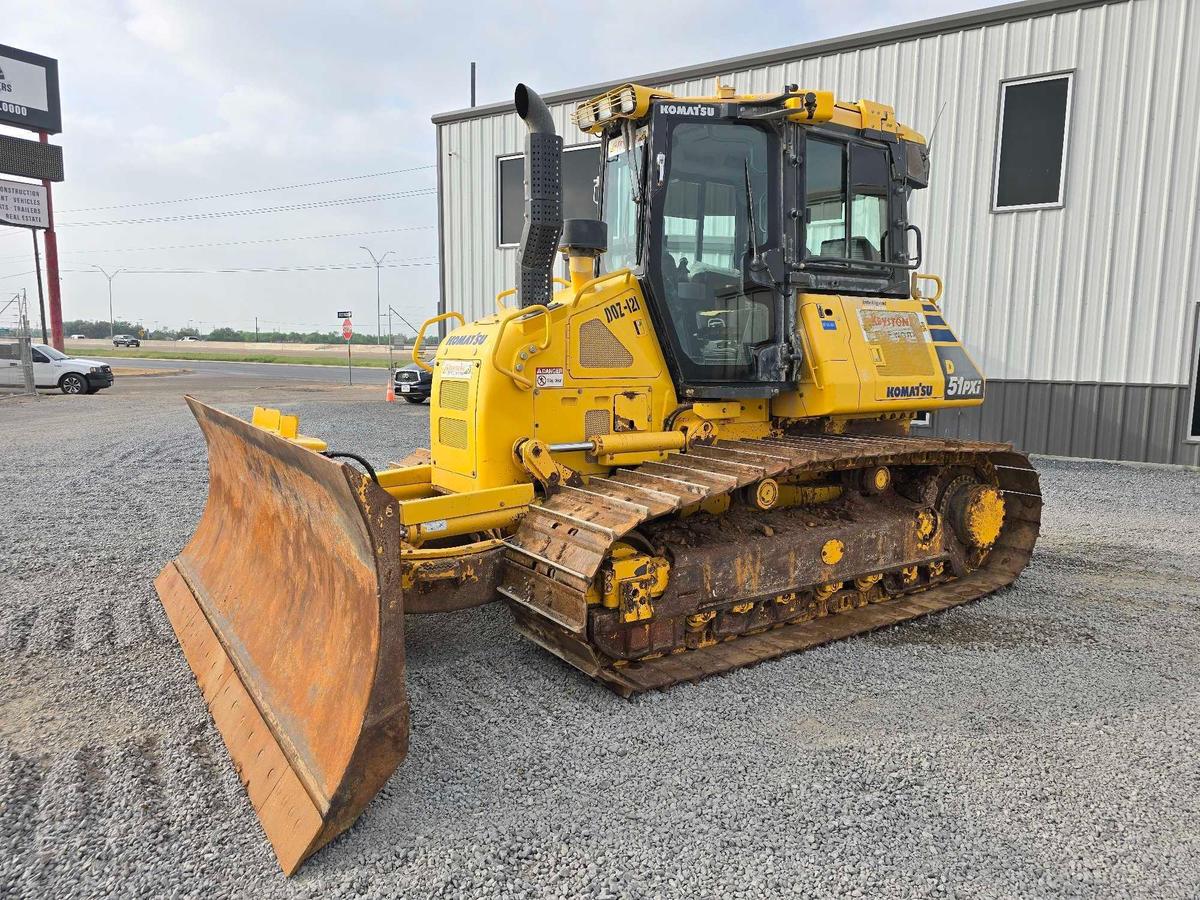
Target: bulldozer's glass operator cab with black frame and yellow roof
[(728, 207)]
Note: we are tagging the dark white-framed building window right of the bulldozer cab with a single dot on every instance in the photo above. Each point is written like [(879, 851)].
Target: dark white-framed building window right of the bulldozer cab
[(1031, 146)]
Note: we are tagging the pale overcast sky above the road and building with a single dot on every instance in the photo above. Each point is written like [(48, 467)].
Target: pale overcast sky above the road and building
[(165, 100)]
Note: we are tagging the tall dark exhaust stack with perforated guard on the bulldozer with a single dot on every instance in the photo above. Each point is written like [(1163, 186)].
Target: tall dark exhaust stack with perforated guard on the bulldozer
[(543, 200)]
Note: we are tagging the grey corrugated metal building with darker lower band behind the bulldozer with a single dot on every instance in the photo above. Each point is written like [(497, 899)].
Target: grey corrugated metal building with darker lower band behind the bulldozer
[(1072, 262)]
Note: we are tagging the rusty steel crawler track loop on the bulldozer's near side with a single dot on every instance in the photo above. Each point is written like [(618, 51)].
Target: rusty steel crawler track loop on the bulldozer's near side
[(563, 543)]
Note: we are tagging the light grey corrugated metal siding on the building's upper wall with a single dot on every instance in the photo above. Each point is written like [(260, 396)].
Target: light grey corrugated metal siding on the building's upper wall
[(1099, 291)]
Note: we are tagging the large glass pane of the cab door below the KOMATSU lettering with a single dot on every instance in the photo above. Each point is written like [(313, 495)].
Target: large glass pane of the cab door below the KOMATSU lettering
[(717, 172)]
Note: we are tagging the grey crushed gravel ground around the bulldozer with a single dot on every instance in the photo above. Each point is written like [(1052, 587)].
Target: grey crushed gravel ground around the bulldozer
[(1042, 742)]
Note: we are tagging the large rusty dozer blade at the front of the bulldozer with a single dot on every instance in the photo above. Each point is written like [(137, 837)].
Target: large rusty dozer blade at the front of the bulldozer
[(287, 604)]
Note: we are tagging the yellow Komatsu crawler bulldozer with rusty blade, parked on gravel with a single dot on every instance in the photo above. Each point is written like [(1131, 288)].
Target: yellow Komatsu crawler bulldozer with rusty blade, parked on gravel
[(691, 455)]
